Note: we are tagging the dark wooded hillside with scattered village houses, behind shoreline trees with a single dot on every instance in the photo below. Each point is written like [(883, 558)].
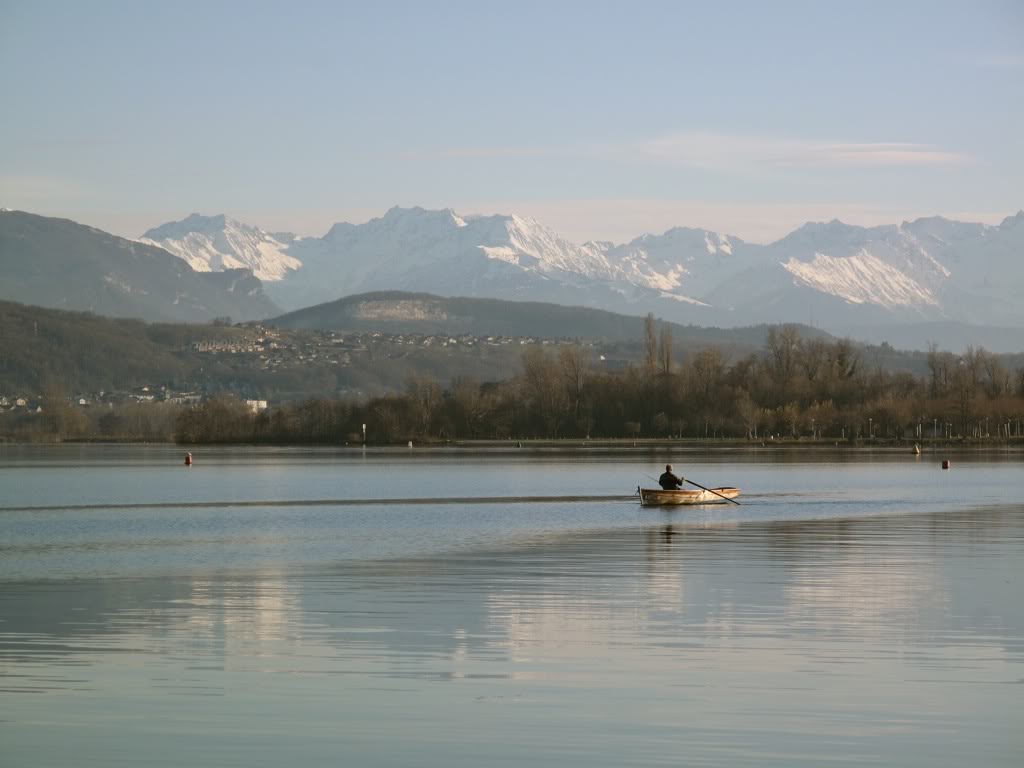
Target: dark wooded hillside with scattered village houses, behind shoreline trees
[(51, 350)]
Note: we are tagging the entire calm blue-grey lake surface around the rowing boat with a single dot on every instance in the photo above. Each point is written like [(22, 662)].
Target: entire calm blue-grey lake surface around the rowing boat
[(857, 609)]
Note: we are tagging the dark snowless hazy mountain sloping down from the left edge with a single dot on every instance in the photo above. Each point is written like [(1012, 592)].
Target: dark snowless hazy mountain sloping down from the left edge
[(59, 264)]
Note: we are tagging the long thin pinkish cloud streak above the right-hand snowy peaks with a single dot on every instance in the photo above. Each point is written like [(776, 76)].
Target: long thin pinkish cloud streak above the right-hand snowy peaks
[(734, 153)]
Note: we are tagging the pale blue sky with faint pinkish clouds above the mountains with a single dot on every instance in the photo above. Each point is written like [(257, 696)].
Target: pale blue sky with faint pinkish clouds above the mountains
[(604, 120)]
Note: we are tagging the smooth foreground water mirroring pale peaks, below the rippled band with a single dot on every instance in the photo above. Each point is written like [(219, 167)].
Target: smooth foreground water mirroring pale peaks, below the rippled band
[(778, 644)]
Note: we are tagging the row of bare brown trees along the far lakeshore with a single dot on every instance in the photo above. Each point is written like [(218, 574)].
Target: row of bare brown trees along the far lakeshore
[(807, 391)]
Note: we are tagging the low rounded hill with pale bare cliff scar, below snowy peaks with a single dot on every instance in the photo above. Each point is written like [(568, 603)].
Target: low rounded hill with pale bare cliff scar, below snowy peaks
[(400, 312)]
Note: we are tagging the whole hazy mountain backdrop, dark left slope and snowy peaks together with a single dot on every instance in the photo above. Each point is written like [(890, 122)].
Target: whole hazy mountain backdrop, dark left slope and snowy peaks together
[(866, 282)]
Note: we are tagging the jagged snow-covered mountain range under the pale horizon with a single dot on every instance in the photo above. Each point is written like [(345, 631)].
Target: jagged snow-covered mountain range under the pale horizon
[(832, 275)]
